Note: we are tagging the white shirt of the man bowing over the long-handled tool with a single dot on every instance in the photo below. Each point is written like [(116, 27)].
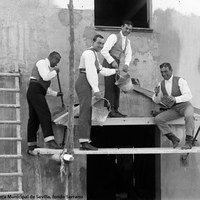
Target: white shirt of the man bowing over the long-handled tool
[(46, 73)]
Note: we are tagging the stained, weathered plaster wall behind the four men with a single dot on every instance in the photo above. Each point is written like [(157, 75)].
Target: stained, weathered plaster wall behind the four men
[(30, 29)]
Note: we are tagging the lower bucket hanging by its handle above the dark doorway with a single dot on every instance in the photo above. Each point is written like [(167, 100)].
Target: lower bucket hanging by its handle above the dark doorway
[(100, 112)]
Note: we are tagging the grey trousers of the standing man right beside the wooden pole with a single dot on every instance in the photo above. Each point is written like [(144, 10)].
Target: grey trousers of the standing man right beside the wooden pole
[(84, 93)]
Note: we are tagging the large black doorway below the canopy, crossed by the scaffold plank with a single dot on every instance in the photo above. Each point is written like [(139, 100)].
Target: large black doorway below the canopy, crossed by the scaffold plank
[(117, 177)]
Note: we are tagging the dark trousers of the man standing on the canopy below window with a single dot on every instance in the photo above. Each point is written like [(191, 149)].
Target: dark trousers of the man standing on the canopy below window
[(112, 91)]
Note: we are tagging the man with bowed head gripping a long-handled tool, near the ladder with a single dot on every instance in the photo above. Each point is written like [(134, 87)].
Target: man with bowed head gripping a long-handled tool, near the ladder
[(39, 113)]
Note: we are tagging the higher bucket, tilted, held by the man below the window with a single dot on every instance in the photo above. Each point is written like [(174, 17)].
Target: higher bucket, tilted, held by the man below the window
[(124, 82)]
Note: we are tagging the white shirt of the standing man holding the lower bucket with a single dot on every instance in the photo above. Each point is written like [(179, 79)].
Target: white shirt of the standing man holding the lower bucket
[(87, 62)]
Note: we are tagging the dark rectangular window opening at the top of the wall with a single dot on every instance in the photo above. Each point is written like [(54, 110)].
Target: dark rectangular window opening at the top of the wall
[(113, 12)]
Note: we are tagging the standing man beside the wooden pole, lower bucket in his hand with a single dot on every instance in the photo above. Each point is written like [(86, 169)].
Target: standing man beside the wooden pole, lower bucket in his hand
[(86, 85)]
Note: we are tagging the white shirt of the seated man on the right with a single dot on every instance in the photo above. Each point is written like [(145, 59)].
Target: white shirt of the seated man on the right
[(186, 94)]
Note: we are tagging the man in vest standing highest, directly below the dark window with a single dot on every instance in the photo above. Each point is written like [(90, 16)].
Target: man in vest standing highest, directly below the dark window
[(116, 48)]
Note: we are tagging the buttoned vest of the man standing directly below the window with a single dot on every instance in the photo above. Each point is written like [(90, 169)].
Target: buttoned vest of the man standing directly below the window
[(116, 51)]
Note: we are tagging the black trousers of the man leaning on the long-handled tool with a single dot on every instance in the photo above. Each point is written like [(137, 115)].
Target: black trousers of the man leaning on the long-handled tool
[(39, 113)]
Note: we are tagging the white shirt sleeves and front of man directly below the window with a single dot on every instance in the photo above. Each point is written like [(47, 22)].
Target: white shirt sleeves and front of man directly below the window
[(110, 42)]
